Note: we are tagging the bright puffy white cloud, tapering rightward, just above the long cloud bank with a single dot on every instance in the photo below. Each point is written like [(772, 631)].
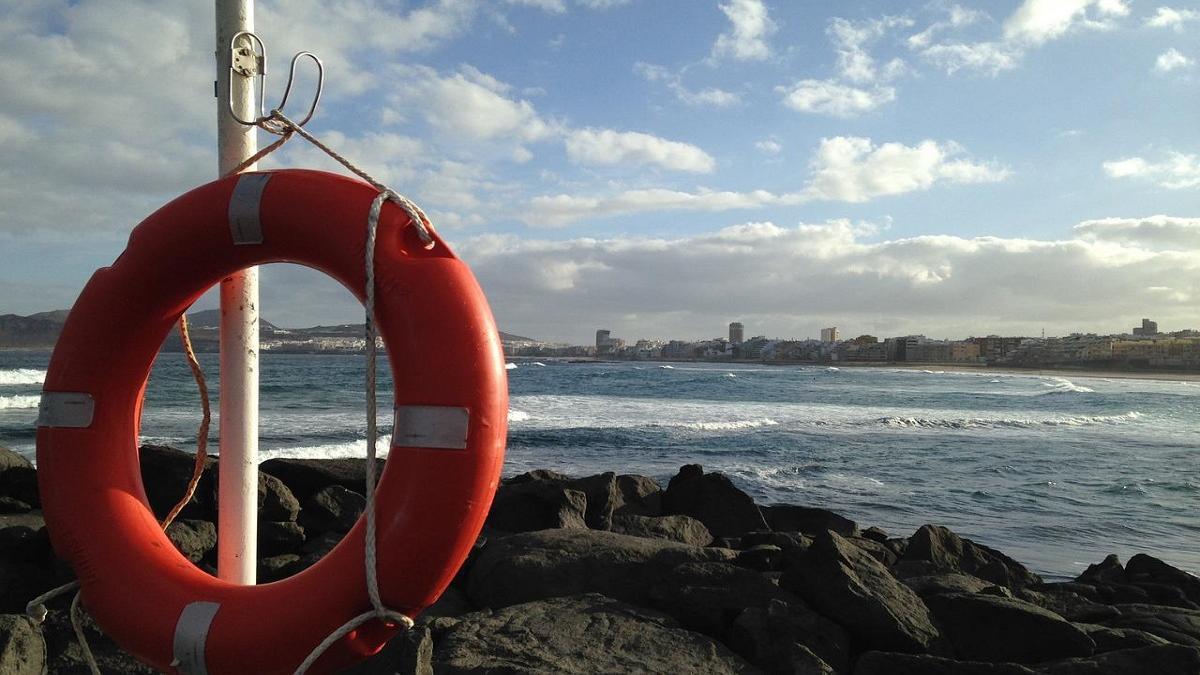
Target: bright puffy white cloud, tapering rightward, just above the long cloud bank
[(855, 170)]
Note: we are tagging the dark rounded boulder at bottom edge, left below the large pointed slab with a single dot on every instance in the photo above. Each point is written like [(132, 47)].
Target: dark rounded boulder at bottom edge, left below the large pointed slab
[(781, 637)]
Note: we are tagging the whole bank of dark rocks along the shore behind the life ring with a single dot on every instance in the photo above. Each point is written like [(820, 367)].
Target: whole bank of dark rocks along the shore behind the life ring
[(616, 574)]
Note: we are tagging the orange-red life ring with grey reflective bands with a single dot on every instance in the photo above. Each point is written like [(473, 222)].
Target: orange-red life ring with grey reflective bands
[(437, 486)]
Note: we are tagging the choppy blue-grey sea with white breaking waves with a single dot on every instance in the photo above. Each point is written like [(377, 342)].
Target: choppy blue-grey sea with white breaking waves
[(1058, 471)]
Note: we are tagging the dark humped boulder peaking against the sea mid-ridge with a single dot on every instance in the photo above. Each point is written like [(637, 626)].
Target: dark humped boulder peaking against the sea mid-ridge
[(713, 500)]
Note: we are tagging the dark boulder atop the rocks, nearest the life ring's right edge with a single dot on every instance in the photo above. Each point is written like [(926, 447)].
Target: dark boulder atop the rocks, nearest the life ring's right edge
[(537, 505)]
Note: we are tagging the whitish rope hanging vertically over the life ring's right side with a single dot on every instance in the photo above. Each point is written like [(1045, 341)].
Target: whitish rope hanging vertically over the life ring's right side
[(377, 608)]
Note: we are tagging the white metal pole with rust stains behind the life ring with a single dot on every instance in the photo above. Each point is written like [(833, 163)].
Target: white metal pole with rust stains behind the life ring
[(238, 468)]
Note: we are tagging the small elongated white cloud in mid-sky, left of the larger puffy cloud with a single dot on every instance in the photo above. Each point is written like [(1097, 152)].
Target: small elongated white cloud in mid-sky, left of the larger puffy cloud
[(607, 147)]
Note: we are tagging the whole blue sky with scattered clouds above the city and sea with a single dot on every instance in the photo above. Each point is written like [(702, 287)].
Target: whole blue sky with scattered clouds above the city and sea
[(662, 168)]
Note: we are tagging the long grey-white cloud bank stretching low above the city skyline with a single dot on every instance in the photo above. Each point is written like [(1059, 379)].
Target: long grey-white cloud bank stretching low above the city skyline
[(938, 285)]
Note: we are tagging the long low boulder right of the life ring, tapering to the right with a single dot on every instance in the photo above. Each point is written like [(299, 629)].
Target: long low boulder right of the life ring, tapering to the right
[(560, 563)]
